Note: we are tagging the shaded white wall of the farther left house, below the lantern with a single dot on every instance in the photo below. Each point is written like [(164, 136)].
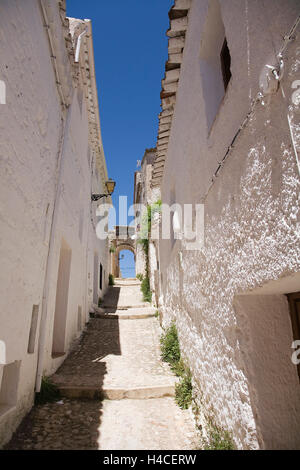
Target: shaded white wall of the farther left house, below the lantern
[(76, 174)]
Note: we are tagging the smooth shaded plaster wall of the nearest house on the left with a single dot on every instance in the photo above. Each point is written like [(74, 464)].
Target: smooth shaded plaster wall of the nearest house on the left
[(30, 131)]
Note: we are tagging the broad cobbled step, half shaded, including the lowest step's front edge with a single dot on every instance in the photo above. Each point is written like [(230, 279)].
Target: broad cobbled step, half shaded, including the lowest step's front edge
[(117, 359)]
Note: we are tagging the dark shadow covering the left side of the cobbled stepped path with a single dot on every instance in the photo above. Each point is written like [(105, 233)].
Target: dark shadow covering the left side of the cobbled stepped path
[(74, 423)]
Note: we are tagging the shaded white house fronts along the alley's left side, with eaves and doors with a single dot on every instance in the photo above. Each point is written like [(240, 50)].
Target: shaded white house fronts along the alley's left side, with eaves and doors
[(53, 266)]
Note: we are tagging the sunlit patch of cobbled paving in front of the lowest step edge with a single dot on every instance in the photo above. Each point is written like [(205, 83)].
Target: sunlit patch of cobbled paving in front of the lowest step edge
[(157, 424)]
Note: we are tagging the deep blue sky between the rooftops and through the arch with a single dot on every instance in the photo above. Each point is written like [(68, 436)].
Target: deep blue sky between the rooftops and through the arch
[(130, 48)]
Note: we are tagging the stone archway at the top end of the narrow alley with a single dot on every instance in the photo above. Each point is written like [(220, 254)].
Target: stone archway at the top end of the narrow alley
[(121, 239)]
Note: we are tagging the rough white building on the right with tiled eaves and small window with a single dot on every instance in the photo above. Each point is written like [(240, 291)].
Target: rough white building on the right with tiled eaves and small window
[(229, 139)]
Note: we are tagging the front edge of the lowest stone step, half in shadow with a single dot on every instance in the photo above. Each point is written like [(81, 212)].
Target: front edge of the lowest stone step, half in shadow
[(138, 393)]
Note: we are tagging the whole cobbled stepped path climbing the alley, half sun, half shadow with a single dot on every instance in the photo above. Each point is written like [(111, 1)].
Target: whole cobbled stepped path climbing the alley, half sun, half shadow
[(119, 358)]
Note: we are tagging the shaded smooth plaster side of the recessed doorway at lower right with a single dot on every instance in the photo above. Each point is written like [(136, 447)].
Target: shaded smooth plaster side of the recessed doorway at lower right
[(268, 361)]
